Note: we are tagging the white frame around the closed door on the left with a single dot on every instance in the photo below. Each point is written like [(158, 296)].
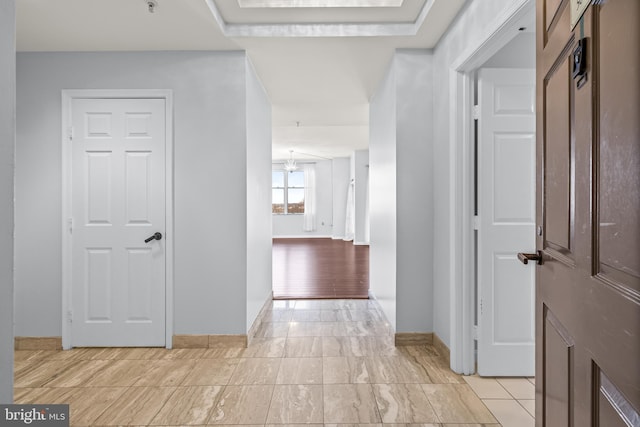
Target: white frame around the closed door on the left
[(67, 98)]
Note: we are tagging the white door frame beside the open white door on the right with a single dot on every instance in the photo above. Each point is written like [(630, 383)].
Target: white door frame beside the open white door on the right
[(461, 257)]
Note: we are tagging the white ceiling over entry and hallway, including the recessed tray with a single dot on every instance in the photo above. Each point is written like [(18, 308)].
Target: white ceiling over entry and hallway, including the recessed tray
[(320, 66)]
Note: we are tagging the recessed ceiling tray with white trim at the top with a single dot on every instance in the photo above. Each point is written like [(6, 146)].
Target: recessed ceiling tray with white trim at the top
[(319, 18)]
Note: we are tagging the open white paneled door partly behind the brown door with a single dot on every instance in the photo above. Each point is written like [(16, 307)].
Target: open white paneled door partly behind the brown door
[(506, 223)]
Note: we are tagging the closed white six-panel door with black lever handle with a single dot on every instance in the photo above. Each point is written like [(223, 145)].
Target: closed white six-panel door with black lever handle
[(118, 198)]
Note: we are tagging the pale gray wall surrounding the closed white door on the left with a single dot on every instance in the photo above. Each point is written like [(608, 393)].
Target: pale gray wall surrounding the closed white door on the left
[(210, 181)]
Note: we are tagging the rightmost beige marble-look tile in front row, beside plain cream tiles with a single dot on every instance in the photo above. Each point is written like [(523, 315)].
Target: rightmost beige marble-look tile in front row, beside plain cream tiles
[(457, 403)]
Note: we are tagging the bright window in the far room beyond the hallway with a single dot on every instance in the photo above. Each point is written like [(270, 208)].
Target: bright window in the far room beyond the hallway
[(287, 193)]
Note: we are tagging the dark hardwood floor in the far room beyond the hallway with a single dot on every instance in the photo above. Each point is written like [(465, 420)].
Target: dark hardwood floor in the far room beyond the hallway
[(319, 268)]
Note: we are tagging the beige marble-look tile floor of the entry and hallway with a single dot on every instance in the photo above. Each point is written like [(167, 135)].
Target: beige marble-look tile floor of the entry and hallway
[(328, 362)]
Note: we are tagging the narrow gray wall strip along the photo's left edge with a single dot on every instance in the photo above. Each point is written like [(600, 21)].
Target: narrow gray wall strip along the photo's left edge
[(7, 144)]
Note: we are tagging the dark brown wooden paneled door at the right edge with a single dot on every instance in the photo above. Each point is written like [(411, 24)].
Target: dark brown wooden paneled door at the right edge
[(588, 213)]
